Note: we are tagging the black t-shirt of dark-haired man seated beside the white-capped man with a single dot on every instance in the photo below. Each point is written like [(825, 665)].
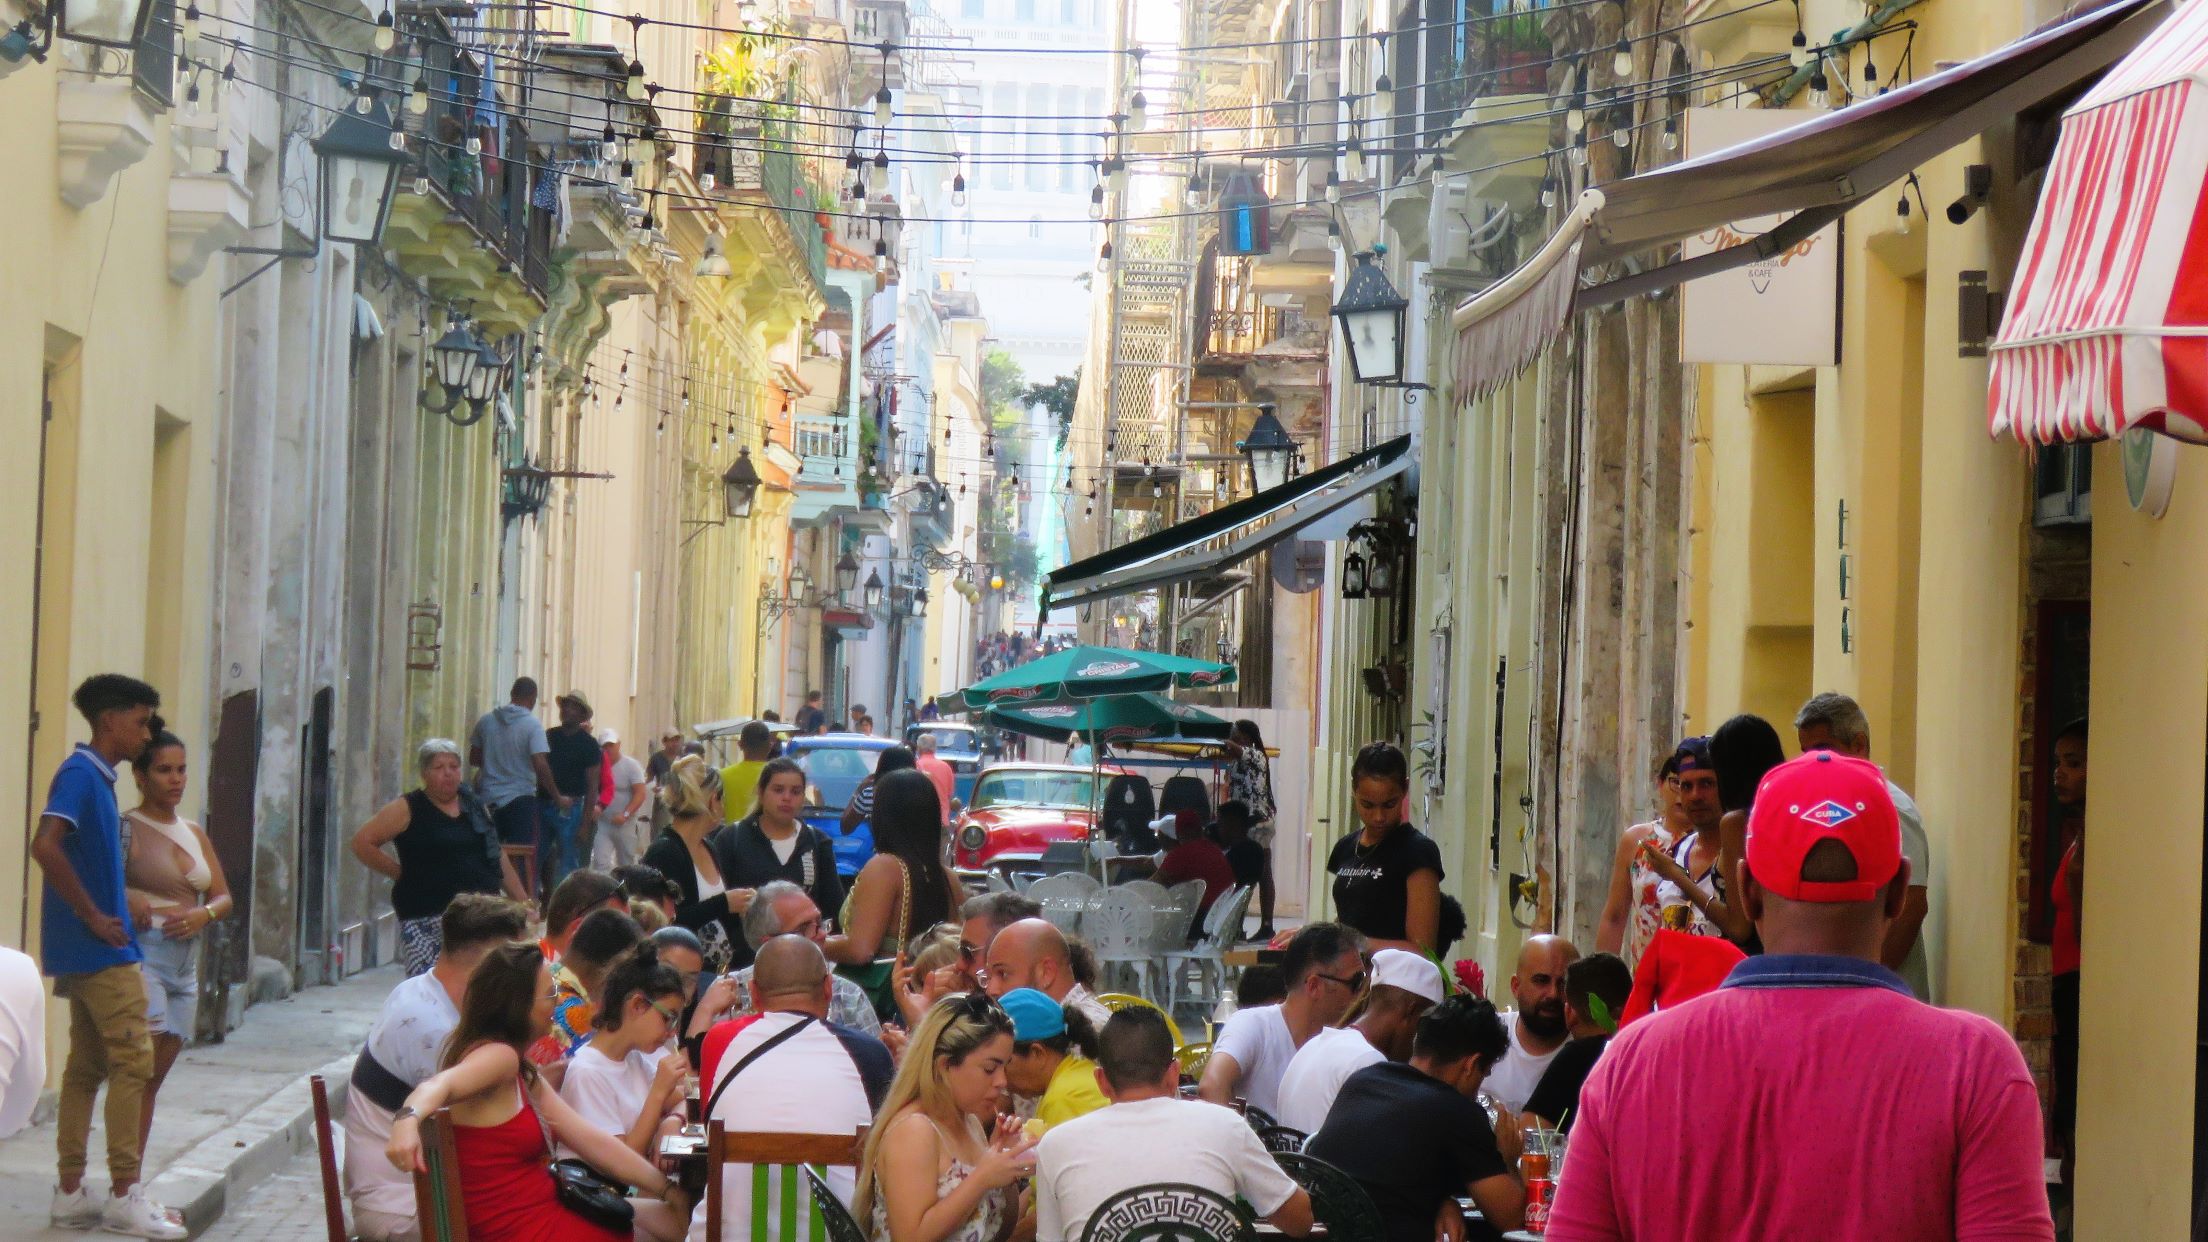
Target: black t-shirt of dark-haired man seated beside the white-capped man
[(1410, 1141)]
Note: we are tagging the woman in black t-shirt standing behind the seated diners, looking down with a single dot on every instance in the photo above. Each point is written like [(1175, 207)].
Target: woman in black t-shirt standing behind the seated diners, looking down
[(1388, 876)]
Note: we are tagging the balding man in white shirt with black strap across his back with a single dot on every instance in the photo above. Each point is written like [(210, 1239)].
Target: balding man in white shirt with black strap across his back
[(820, 1080)]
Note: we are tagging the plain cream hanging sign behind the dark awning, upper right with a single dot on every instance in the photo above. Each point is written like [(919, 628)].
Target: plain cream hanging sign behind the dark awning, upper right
[(1781, 310)]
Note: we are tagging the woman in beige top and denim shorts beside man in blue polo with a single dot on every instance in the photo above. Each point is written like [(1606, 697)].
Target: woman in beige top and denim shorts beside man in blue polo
[(176, 890)]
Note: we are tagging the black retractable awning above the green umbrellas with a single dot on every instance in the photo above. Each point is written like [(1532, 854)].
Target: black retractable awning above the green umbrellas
[(1227, 536)]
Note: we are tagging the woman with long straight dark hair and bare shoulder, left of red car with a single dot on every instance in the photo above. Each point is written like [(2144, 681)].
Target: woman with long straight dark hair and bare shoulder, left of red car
[(904, 887)]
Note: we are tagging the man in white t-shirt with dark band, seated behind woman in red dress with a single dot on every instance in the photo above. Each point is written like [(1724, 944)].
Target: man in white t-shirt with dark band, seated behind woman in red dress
[(403, 1053)]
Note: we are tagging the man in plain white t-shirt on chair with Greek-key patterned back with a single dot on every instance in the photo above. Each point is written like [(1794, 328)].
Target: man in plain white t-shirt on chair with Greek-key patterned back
[(1149, 1137)]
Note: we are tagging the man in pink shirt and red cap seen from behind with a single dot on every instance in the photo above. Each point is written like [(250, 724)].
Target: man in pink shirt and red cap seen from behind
[(1812, 1095)]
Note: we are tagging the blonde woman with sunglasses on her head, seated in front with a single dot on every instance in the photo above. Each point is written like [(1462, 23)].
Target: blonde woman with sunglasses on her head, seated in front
[(931, 1170)]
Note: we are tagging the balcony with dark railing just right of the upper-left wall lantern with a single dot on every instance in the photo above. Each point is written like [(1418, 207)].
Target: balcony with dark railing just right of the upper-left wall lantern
[(463, 220)]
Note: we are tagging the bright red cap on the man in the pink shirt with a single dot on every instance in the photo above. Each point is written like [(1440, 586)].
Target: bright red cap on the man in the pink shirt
[(1816, 799)]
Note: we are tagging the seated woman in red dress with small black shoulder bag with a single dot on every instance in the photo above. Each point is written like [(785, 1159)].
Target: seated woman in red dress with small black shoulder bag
[(505, 1115)]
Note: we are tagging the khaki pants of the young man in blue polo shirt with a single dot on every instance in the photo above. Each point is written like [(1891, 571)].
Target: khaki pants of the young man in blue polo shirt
[(107, 1042)]
